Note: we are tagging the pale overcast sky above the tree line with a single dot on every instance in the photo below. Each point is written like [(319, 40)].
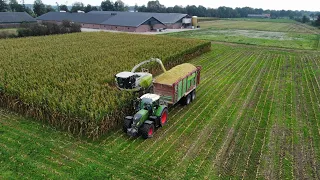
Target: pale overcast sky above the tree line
[(312, 5)]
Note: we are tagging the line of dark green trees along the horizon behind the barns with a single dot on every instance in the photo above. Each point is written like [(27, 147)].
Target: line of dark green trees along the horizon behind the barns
[(40, 8)]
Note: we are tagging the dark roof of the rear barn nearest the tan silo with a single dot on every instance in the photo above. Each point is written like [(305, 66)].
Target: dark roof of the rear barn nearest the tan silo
[(167, 18)]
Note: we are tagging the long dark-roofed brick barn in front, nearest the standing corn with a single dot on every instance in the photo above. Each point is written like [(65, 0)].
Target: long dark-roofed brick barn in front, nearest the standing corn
[(113, 21)]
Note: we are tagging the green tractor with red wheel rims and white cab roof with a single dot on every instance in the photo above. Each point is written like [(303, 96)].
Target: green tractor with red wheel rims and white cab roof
[(151, 113)]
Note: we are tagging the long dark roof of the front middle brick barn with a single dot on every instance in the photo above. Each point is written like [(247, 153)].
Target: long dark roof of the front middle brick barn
[(134, 20)]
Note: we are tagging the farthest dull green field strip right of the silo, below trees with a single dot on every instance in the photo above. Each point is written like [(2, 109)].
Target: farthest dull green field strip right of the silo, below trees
[(260, 26)]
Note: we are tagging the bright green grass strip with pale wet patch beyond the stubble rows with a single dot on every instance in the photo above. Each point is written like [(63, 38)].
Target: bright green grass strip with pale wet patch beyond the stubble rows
[(254, 37)]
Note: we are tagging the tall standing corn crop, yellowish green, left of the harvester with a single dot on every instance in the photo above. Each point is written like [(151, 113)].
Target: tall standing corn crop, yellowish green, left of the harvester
[(67, 80)]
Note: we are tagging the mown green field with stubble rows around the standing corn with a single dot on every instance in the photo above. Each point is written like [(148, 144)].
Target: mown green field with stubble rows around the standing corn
[(256, 116)]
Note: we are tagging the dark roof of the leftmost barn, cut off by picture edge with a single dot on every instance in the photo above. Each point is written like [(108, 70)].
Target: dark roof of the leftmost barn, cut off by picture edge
[(15, 17)]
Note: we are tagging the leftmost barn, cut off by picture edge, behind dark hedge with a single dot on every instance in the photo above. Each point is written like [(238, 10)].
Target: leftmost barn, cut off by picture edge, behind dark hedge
[(14, 19)]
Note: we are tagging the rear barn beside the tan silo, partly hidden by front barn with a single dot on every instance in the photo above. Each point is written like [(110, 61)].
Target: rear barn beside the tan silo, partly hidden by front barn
[(171, 20)]
